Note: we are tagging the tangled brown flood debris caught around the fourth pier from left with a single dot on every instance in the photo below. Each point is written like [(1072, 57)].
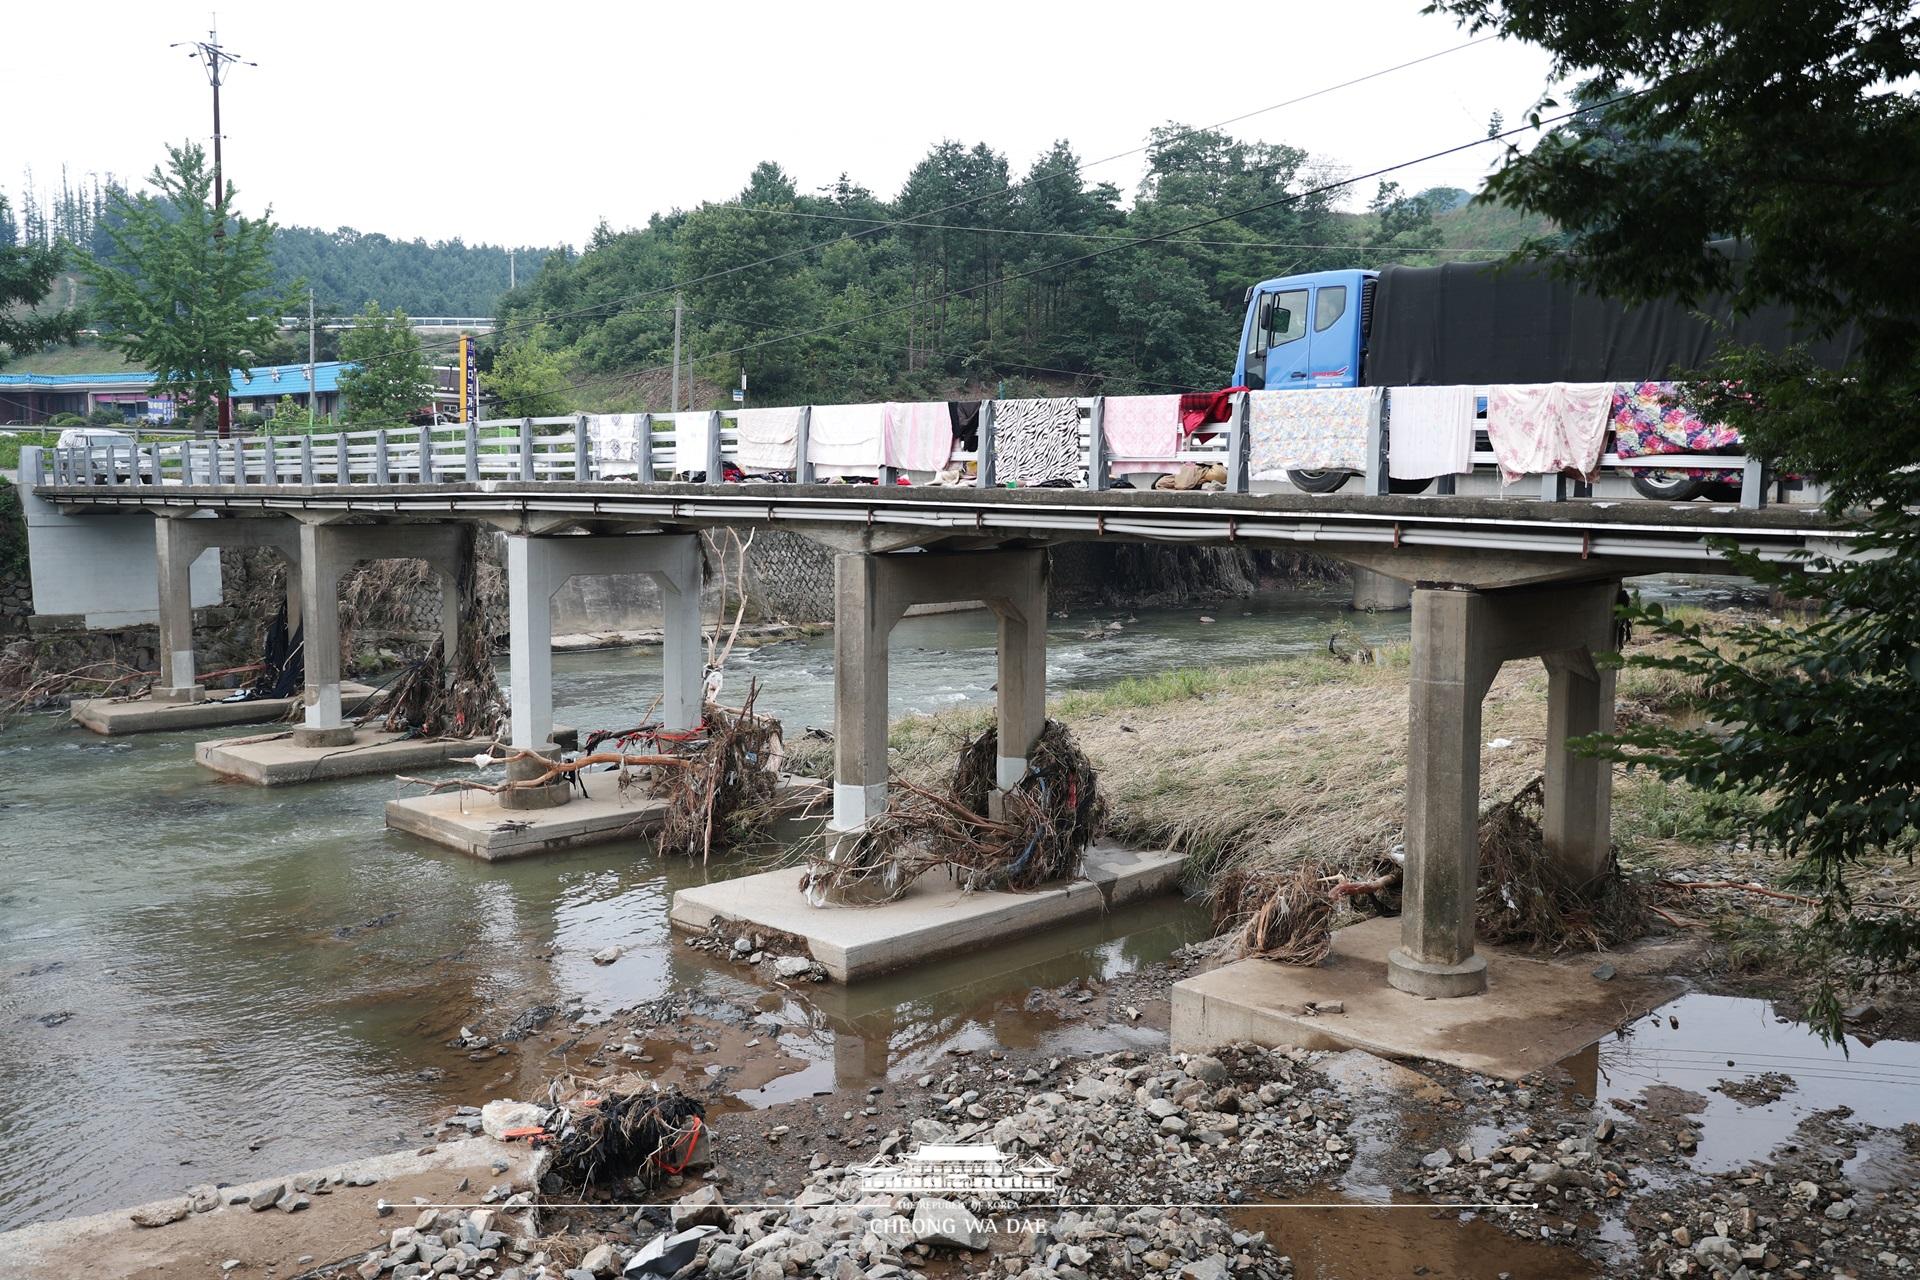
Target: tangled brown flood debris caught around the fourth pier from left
[(1047, 822)]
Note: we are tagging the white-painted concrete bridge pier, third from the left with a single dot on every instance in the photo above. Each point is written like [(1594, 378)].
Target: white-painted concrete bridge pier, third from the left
[(539, 567)]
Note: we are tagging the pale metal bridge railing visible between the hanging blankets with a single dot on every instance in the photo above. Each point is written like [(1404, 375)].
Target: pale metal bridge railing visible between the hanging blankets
[(569, 450)]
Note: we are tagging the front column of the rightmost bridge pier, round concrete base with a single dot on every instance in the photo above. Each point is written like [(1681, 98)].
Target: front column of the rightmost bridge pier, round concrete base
[(1449, 682)]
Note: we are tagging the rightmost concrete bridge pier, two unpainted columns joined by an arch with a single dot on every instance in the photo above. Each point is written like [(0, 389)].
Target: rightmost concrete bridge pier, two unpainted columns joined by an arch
[(1460, 642)]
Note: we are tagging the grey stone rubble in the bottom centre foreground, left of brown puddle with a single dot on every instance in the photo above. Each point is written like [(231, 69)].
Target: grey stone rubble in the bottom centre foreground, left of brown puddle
[(1126, 1131)]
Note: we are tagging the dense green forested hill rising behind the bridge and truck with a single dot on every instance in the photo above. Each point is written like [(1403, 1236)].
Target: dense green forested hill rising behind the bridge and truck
[(1034, 279)]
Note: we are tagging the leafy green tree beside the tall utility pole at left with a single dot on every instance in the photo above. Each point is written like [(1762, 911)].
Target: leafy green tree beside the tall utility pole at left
[(176, 295)]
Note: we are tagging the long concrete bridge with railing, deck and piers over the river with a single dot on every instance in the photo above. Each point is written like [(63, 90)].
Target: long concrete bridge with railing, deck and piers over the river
[(1493, 581)]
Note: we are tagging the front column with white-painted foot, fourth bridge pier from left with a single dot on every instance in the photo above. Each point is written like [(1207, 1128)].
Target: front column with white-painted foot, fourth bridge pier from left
[(863, 619)]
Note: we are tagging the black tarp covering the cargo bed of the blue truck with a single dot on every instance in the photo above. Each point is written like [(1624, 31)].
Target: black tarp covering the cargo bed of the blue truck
[(1476, 323)]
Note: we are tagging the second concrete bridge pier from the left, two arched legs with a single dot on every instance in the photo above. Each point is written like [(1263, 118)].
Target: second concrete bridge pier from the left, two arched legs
[(327, 552)]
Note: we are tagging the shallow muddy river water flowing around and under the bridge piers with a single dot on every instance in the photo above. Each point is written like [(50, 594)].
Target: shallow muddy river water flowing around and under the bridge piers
[(208, 982)]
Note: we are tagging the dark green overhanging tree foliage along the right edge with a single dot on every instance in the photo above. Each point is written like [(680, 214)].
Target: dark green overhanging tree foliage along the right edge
[(1798, 131)]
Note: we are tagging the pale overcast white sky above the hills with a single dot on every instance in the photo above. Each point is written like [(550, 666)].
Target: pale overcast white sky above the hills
[(529, 124)]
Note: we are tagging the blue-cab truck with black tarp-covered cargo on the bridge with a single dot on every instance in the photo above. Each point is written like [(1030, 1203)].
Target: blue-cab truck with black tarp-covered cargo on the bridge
[(1491, 323)]
